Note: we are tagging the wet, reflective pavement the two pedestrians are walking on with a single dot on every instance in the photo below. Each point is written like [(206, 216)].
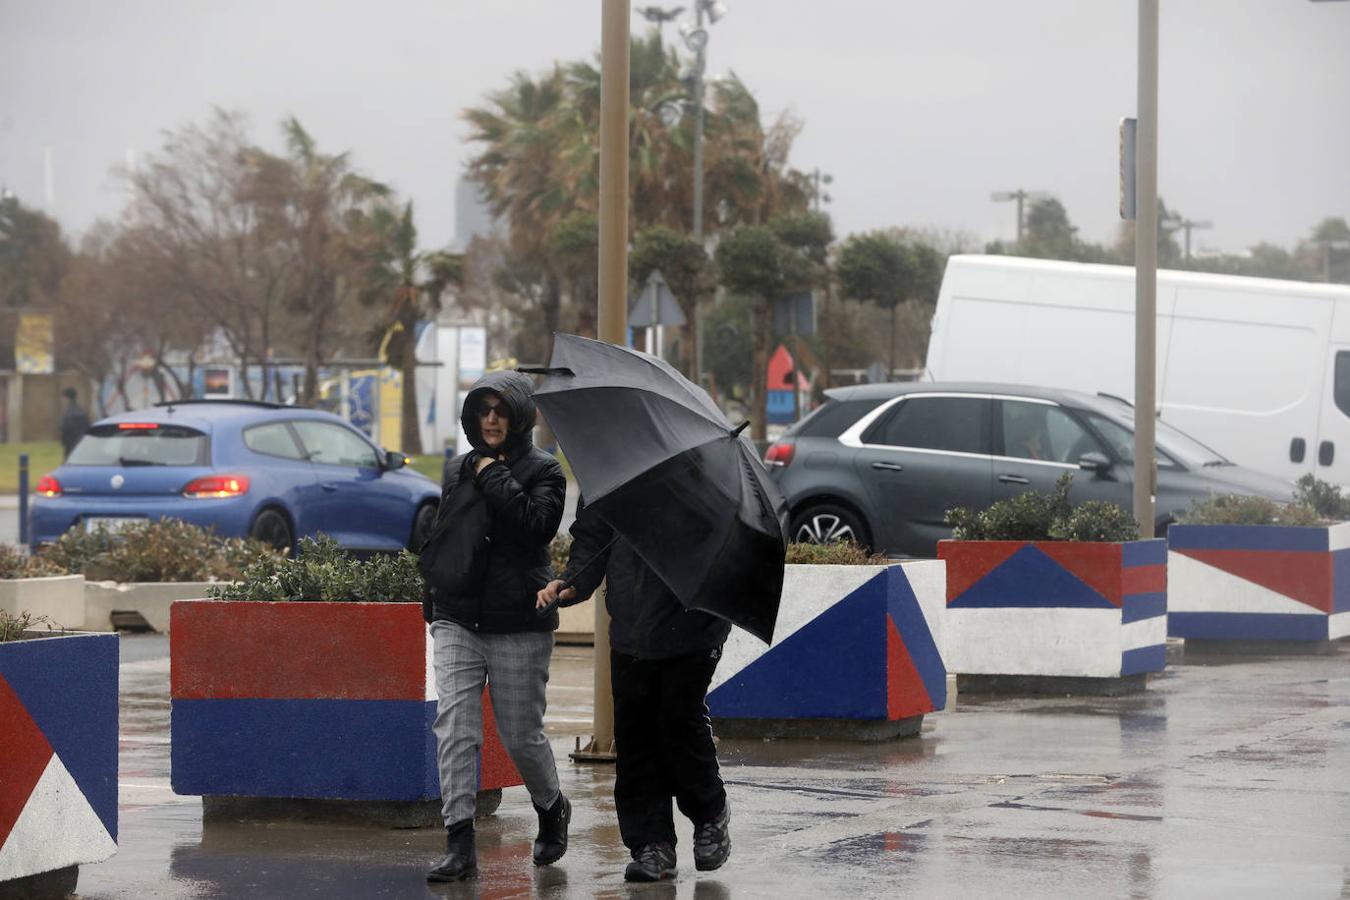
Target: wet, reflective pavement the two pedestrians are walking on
[(1229, 778)]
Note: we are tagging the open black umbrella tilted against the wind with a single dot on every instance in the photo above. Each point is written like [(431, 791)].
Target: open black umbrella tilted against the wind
[(664, 468)]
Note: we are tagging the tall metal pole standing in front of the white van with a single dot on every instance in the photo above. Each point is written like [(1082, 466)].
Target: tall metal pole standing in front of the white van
[(1147, 268)]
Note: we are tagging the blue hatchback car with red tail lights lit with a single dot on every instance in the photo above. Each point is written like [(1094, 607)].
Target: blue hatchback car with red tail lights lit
[(242, 469)]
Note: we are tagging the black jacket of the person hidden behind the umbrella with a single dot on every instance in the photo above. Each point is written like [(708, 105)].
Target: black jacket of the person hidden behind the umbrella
[(646, 619)]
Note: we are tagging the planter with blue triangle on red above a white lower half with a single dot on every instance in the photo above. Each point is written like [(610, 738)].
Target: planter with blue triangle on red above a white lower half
[(1056, 608)]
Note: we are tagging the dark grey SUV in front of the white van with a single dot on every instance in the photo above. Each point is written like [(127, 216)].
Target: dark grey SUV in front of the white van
[(881, 465)]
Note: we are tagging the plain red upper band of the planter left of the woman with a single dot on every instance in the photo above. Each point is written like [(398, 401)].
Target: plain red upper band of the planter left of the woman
[(298, 651)]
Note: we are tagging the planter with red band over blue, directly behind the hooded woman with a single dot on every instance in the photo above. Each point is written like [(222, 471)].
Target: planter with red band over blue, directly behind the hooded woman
[(315, 701)]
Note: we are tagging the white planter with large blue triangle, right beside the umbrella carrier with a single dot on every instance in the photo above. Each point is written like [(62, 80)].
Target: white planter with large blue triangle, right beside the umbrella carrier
[(855, 655)]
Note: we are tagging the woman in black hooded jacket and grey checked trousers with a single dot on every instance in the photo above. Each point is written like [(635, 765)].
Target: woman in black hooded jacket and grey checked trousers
[(484, 563)]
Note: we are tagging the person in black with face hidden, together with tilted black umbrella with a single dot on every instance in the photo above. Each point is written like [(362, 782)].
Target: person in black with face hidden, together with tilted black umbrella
[(681, 516)]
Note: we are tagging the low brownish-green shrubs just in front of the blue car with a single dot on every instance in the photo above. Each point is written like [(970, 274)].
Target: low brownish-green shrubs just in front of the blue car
[(155, 551)]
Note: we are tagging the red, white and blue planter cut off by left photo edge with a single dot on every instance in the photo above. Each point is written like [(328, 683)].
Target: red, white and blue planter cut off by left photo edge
[(59, 754)]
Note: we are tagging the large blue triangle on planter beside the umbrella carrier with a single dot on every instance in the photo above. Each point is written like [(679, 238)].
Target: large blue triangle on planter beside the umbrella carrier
[(832, 669)]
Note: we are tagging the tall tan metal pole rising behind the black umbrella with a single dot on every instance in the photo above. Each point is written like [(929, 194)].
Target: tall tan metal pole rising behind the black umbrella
[(612, 319)]
